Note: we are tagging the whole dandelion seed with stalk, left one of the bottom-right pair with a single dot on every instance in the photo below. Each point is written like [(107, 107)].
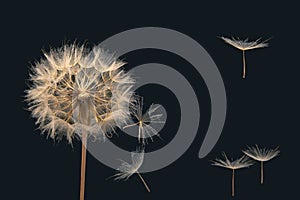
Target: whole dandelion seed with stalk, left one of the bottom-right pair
[(233, 165)]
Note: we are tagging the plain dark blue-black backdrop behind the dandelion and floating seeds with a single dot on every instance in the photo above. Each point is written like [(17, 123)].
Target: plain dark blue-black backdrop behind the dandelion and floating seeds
[(262, 109)]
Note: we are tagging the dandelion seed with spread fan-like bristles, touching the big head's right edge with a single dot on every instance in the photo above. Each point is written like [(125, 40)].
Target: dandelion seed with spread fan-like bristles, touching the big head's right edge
[(144, 120)]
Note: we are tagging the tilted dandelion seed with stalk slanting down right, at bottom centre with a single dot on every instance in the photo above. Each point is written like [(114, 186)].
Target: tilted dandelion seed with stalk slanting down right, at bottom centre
[(126, 170)]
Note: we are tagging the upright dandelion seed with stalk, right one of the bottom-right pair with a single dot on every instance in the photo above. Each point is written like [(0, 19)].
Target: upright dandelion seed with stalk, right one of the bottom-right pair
[(262, 155)]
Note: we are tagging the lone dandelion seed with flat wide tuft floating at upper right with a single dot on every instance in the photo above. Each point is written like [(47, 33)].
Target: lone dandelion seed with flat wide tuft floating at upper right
[(244, 45)]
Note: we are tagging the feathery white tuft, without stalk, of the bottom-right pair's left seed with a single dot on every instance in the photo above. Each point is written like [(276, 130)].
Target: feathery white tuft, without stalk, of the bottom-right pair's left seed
[(242, 162)]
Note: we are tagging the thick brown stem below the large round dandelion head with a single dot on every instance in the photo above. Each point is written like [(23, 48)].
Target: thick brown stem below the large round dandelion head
[(83, 166)]
